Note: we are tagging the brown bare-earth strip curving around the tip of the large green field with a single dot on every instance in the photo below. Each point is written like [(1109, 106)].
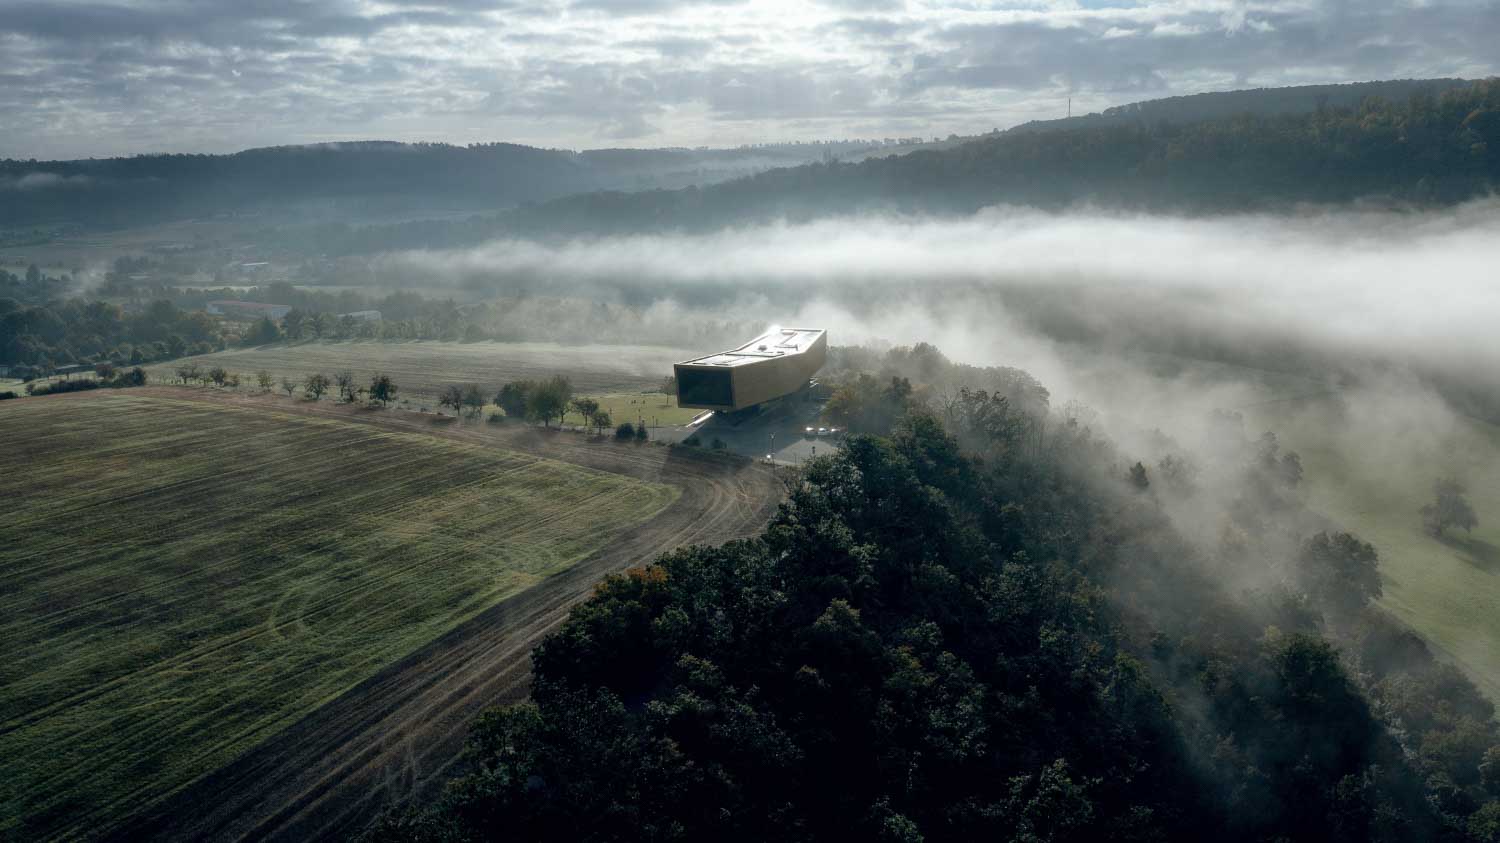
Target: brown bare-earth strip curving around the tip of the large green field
[(398, 734)]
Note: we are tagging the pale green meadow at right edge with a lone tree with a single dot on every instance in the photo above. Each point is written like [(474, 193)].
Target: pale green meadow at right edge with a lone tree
[(1370, 467)]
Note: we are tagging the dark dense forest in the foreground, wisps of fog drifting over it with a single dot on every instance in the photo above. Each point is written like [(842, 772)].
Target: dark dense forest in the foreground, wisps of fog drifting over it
[(988, 622)]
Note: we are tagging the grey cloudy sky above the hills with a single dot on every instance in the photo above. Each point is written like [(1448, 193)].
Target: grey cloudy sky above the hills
[(118, 77)]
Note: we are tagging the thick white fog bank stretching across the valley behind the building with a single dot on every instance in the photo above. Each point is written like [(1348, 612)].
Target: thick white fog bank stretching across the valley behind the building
[(1325, 298)]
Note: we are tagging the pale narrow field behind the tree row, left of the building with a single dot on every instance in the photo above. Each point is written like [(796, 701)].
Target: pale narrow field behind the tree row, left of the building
[(422, 370)]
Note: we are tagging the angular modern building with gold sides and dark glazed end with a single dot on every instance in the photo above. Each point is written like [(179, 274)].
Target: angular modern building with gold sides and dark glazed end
[(773, 365)]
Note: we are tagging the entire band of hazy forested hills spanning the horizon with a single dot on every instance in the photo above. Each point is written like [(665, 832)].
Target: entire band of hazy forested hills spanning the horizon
[(1208, 152)]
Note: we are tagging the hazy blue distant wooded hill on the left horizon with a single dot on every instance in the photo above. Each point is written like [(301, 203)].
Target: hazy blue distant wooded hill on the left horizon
[(356, 179)]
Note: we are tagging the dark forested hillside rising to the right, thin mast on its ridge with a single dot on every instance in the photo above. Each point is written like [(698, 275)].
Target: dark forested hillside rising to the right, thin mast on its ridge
[(1426, 151)]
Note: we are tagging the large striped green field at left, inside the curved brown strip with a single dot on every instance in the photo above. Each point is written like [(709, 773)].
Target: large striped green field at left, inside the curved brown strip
[(182, 580)]
